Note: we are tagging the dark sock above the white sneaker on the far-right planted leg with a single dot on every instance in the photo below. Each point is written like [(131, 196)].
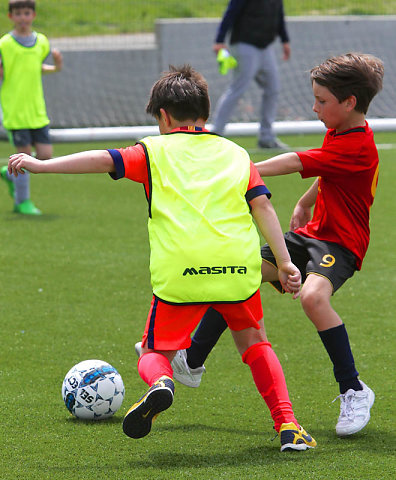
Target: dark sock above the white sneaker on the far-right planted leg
[(336, 342)]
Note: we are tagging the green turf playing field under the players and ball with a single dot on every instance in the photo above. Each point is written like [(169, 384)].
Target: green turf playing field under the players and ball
[(75, 286)]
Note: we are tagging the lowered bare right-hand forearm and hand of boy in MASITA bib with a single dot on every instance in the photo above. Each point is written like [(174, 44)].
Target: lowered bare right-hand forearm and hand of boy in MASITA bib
[(267, 221)]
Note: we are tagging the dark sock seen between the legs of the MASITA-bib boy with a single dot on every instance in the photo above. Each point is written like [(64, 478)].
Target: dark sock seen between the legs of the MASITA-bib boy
[(205, 338)]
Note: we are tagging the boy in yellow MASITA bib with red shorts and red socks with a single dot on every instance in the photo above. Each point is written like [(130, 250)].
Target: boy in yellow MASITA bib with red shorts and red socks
[(203, 193)]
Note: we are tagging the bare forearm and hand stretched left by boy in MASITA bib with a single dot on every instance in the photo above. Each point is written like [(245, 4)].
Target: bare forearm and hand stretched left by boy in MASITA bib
[(92, 161)]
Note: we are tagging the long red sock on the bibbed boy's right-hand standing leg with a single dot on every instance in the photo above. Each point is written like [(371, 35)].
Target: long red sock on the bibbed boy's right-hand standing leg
[(270, 382)]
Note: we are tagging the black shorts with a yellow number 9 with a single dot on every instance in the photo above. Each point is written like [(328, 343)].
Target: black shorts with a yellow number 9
[(326, 259)]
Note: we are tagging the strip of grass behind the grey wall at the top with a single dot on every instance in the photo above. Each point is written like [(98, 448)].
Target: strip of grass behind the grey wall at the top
[(104, 17)]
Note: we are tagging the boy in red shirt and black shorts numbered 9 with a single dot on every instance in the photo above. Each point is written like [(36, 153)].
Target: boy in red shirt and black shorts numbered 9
[(331, 245)]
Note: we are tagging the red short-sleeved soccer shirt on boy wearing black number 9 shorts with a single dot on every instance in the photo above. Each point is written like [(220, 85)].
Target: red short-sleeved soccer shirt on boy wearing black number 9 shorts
[(347, 167)]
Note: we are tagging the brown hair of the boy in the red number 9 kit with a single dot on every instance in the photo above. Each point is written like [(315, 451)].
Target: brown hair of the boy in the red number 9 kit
[(355, 74)]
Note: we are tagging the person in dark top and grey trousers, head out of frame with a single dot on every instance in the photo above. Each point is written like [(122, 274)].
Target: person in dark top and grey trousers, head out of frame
[(253, 26)]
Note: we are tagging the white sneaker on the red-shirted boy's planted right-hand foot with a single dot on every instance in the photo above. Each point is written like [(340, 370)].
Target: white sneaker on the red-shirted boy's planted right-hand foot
[(354, 410)]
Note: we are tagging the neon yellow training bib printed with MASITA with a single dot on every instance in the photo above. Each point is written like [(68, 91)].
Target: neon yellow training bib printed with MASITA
[(204, 244)]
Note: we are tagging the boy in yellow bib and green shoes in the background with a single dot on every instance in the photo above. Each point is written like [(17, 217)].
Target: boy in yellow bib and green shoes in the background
[(22, 53)]
